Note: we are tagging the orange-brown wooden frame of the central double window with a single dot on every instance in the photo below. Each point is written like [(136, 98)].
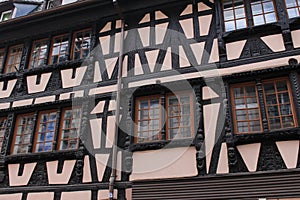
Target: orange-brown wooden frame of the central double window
[(163, 115)]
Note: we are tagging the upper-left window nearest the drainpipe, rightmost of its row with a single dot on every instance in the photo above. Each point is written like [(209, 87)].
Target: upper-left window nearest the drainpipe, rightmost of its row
[(81, 44)]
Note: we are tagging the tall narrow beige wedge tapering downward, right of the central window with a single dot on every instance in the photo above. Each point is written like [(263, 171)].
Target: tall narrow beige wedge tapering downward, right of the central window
[(211, 113)]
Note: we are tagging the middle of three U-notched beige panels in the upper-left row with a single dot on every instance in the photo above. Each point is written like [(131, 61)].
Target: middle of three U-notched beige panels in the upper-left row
[(33, 87)]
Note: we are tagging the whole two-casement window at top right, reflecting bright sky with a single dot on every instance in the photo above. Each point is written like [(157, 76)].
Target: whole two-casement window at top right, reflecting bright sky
[(235, 15)]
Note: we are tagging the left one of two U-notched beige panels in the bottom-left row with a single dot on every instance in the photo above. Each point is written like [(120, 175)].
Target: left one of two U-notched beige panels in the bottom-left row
[(14, 179)]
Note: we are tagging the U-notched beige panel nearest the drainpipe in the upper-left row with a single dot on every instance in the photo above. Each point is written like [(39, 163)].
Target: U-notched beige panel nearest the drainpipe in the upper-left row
[(68, 81)]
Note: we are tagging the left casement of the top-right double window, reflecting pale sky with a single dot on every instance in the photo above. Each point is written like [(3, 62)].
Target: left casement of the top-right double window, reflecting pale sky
[(234, 15)]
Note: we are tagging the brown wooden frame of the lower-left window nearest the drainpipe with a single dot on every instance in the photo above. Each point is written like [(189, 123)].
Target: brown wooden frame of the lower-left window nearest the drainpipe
[(62, 118)]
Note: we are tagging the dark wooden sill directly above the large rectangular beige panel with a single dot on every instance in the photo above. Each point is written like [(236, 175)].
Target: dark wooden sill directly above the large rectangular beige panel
[(162, 144)]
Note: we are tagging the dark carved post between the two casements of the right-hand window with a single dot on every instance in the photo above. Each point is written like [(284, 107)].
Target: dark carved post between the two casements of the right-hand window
[(262, 106)]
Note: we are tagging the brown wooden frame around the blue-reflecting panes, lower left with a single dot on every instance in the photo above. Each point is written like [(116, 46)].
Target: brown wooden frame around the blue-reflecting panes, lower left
[(37, 131)]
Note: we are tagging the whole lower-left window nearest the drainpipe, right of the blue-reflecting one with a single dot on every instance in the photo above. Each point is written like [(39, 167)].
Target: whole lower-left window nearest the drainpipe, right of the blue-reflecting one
[(70, 129)]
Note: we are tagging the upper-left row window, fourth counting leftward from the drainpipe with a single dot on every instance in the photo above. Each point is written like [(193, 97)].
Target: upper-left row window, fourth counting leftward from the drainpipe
[(14, 58)]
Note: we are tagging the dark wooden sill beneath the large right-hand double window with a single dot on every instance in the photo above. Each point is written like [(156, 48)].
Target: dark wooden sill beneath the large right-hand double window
[(274, 135)]
